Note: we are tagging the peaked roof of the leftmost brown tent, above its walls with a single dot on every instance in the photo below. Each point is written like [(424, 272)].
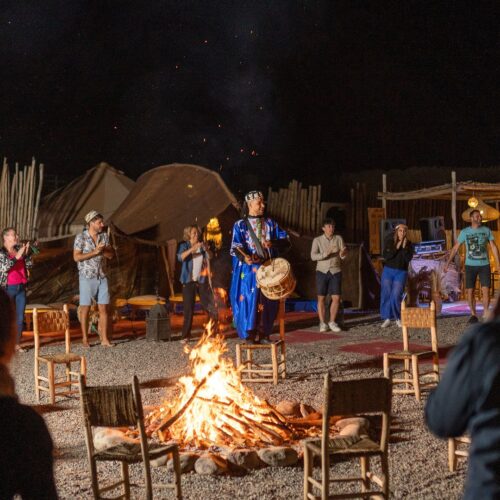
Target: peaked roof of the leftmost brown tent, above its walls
[(102, 188)]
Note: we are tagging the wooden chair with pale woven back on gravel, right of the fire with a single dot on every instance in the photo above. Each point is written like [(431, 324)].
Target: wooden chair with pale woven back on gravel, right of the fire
[(415, 317)]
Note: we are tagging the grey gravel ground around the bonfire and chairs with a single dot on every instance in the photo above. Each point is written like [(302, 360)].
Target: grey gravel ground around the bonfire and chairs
[(418, 461)]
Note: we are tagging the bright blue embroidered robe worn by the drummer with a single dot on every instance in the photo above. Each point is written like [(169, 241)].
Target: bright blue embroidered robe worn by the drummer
[(244, 294)]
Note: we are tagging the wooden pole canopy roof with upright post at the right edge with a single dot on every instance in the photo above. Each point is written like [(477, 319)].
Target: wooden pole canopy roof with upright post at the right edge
[(488, 192)]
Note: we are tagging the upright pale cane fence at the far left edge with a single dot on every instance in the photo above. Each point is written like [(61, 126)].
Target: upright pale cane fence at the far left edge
[(20, 194)]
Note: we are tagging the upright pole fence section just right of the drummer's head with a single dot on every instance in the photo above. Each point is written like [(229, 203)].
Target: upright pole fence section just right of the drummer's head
[(297, 207)]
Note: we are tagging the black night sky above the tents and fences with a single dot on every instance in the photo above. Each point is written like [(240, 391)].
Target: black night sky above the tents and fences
[(263, 91)]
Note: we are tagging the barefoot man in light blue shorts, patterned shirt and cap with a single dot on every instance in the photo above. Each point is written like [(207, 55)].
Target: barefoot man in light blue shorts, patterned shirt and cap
[(90, 251)]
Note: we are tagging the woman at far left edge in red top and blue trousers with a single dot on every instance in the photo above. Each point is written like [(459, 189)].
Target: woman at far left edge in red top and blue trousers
[(15, 260)]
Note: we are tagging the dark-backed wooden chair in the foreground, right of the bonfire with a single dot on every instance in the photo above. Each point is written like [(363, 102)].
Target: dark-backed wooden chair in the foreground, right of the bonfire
[(372, 395)]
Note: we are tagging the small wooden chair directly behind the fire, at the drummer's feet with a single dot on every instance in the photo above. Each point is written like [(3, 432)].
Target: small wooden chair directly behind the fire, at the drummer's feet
[(264, 372)]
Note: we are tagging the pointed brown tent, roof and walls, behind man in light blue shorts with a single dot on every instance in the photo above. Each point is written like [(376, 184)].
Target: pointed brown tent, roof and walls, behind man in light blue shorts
[(54, 277)]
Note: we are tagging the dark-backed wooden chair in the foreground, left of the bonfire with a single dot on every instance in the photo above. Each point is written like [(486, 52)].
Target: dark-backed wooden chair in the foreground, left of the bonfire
[(121, 406)]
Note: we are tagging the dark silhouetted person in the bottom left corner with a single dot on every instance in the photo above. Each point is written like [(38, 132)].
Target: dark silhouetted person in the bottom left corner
[(26, 464)]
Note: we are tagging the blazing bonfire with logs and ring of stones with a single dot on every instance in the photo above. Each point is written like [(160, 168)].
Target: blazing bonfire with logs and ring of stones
[(219, 423)]
